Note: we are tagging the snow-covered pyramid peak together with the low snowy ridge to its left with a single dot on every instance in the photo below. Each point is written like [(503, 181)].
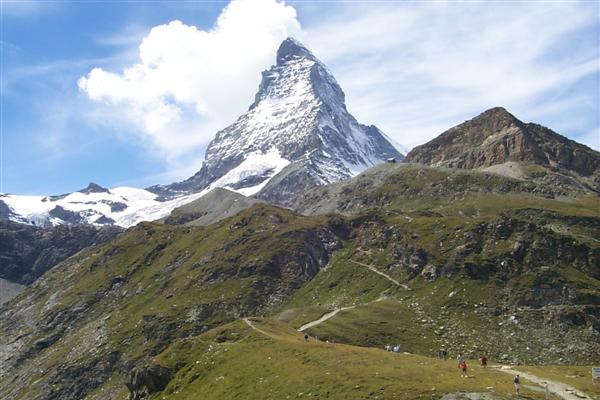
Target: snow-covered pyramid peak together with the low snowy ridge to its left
[(296, 135)]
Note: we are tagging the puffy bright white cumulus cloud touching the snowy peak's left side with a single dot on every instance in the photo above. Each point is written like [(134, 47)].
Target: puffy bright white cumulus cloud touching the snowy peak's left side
[(190, 82)]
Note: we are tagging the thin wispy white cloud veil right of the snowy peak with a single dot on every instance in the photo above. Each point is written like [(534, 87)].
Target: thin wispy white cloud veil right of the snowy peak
[(416, 69)]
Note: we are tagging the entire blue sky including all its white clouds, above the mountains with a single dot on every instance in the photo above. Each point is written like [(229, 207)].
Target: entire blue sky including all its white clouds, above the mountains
[(118, 93)]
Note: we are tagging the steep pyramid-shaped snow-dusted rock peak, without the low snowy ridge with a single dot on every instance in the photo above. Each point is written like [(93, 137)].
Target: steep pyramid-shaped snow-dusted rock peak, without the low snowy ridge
[(296, 135)]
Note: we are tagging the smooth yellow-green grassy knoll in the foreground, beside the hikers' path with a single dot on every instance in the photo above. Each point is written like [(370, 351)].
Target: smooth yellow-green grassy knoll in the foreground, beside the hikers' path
[(254, 366)]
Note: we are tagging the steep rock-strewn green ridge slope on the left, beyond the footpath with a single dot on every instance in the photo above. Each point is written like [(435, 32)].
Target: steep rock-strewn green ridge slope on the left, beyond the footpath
[(127, 300)]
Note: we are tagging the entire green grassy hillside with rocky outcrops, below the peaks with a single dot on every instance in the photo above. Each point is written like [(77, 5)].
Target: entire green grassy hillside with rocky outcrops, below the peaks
[(430, 259)]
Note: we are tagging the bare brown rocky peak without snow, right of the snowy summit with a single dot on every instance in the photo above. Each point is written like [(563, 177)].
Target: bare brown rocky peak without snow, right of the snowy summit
[(500, 142)]
